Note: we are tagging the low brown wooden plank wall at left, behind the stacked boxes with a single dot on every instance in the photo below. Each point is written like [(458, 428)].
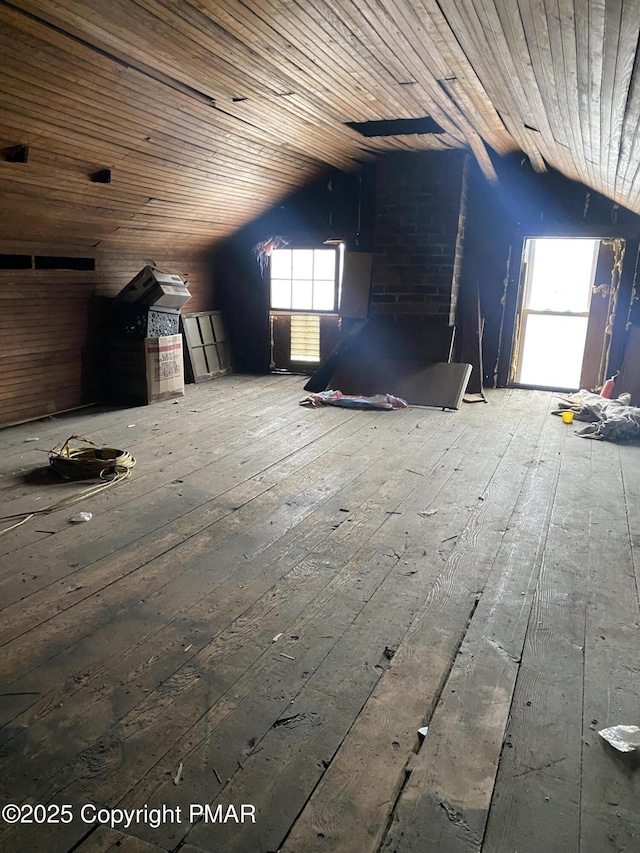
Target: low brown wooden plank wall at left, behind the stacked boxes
[(53, 332)]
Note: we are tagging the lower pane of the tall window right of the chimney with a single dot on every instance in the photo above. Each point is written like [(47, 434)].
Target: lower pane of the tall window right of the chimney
[(552, 351)]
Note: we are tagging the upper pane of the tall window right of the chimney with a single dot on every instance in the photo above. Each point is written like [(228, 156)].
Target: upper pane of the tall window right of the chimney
[(561, 275)]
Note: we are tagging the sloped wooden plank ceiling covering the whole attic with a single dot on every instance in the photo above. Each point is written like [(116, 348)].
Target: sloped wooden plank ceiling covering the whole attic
[(208, 111)]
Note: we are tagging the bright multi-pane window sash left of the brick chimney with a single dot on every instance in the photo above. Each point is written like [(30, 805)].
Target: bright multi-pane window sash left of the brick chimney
[(304, 279)]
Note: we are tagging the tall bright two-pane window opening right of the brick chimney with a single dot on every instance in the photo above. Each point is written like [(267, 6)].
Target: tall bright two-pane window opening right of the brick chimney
[(565, 311)]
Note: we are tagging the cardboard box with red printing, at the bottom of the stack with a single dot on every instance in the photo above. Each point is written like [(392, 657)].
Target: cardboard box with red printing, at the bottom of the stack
[(148, 371)]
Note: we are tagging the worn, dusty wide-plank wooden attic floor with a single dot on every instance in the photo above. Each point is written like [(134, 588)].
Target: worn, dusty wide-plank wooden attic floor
[(472, 571)]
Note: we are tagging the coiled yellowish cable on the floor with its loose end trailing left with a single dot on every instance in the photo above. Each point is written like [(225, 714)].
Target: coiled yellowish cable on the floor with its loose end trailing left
[(81, 463)]
